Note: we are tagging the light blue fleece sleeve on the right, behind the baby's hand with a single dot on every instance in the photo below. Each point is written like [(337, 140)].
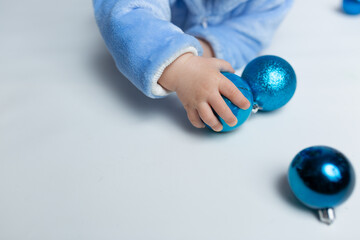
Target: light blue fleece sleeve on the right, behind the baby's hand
[(249, 29)]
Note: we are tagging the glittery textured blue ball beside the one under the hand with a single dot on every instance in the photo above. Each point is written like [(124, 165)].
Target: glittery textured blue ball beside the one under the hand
[(272, 81)]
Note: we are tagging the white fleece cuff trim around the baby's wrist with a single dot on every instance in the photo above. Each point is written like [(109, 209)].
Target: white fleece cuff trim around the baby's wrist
[(158, 90)]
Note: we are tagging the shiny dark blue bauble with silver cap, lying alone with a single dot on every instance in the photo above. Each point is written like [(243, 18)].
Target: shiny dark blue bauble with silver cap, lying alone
[(321, 178)]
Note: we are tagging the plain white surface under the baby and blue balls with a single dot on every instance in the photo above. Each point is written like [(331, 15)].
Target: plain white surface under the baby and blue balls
[(84, 155)]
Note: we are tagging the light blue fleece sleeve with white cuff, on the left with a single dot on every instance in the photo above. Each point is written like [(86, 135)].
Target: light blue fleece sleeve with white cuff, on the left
[(142, 40)]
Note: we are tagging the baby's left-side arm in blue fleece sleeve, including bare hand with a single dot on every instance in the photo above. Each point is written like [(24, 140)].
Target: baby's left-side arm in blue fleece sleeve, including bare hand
[(146, 46)]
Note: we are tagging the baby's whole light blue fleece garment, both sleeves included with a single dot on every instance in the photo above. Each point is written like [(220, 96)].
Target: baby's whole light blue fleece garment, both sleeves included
[(145, 36)]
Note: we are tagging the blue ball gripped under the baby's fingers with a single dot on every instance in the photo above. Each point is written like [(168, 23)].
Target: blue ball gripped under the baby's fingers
[(240, 114)]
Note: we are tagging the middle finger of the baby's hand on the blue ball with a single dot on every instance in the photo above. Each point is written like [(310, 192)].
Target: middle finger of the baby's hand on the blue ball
[(222, 109)]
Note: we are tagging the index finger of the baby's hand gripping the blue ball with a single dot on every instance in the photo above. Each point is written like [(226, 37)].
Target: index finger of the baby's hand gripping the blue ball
[(229, 90)]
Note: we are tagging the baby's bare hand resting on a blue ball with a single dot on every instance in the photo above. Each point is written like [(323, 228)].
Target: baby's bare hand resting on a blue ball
[(199, 86)]
